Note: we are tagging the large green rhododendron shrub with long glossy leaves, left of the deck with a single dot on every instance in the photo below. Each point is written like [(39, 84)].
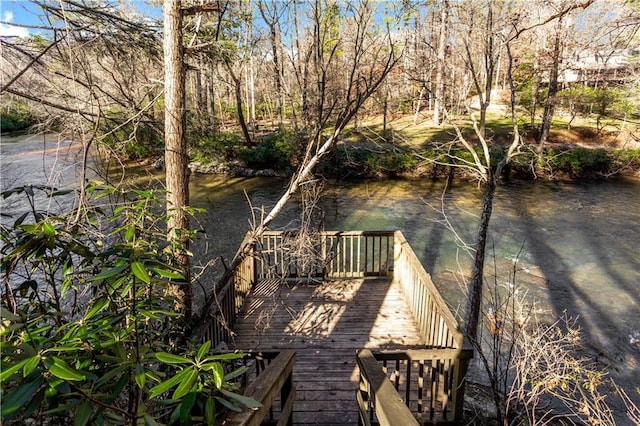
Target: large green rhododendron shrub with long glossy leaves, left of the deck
[(89, 331)]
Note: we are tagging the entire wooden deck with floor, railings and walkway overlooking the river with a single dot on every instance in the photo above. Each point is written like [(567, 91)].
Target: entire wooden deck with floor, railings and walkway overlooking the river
[(352, 329)]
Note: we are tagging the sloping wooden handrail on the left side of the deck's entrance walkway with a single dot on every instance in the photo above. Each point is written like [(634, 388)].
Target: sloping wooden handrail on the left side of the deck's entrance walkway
[(275, 380)]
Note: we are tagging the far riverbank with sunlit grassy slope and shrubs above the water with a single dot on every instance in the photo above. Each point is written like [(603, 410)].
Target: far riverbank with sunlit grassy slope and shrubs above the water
[(403, 148)]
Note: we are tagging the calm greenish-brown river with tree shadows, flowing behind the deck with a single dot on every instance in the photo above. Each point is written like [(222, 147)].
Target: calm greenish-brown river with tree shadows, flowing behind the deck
[(576, 243)]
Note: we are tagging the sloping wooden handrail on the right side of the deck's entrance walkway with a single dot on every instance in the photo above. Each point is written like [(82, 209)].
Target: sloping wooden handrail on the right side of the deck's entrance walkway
[(377, 395)]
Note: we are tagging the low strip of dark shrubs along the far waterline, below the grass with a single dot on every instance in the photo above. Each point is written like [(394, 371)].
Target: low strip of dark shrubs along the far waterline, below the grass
[(557, 162)]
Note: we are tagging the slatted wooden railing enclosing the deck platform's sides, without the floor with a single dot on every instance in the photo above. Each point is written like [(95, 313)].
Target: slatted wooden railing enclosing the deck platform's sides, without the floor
[(442, 363)]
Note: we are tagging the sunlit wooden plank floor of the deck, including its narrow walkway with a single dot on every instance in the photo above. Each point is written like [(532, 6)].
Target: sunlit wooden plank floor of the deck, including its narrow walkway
[(326, 323)]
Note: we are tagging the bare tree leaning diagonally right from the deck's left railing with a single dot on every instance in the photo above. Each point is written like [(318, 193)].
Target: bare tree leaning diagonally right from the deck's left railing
[(369, 58)]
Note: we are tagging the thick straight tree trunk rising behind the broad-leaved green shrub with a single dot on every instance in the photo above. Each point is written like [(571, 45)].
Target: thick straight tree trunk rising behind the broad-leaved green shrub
[(176, 160)]
